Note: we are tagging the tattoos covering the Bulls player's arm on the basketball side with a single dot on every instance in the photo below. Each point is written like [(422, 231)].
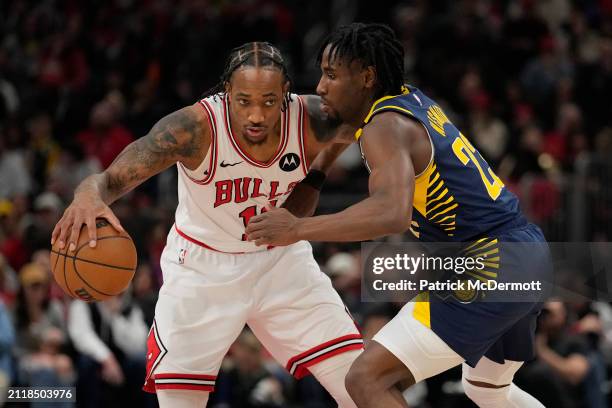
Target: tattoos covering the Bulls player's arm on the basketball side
[(176, 137)]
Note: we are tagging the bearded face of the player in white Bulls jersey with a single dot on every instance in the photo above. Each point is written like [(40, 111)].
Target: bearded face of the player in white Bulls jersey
[(256, 97)]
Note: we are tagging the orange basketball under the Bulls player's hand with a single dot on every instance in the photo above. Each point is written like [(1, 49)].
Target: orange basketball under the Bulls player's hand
[(98, 273)]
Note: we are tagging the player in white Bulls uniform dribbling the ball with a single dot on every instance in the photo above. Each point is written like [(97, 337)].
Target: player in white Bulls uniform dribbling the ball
[(241, 149)]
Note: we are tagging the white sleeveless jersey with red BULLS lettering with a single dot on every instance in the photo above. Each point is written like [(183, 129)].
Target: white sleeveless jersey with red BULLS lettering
[(217, 199)]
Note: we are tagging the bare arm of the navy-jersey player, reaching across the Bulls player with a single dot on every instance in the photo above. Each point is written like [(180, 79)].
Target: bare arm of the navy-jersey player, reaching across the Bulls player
[(388, 209)]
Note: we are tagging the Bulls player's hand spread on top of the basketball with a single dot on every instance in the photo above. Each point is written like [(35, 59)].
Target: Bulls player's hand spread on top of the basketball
[(84, 209)]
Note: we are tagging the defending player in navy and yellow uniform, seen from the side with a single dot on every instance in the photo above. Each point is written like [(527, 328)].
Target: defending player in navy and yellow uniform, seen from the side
[(426, 176)]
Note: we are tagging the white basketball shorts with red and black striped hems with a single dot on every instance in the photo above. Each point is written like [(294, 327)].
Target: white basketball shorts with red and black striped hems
[(207, 297)]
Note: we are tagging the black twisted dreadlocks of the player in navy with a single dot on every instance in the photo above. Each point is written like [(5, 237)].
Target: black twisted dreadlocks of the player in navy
[(373, 45)]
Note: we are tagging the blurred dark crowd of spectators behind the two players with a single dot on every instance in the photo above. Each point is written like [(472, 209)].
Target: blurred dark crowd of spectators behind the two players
[(527, 81)]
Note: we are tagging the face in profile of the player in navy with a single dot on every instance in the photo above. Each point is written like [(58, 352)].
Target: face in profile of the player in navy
[(342, 88)]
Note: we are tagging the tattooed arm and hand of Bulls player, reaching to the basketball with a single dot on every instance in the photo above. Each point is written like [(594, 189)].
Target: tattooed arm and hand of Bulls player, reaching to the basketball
[(182, 136)]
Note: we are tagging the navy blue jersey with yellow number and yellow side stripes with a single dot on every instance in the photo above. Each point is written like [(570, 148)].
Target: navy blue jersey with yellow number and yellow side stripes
[(457, 197)]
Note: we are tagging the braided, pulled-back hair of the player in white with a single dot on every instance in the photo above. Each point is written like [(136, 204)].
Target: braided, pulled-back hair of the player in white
[(253, 54)]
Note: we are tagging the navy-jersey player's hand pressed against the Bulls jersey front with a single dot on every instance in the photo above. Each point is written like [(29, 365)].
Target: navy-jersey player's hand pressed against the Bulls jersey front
[(276, 227)]
